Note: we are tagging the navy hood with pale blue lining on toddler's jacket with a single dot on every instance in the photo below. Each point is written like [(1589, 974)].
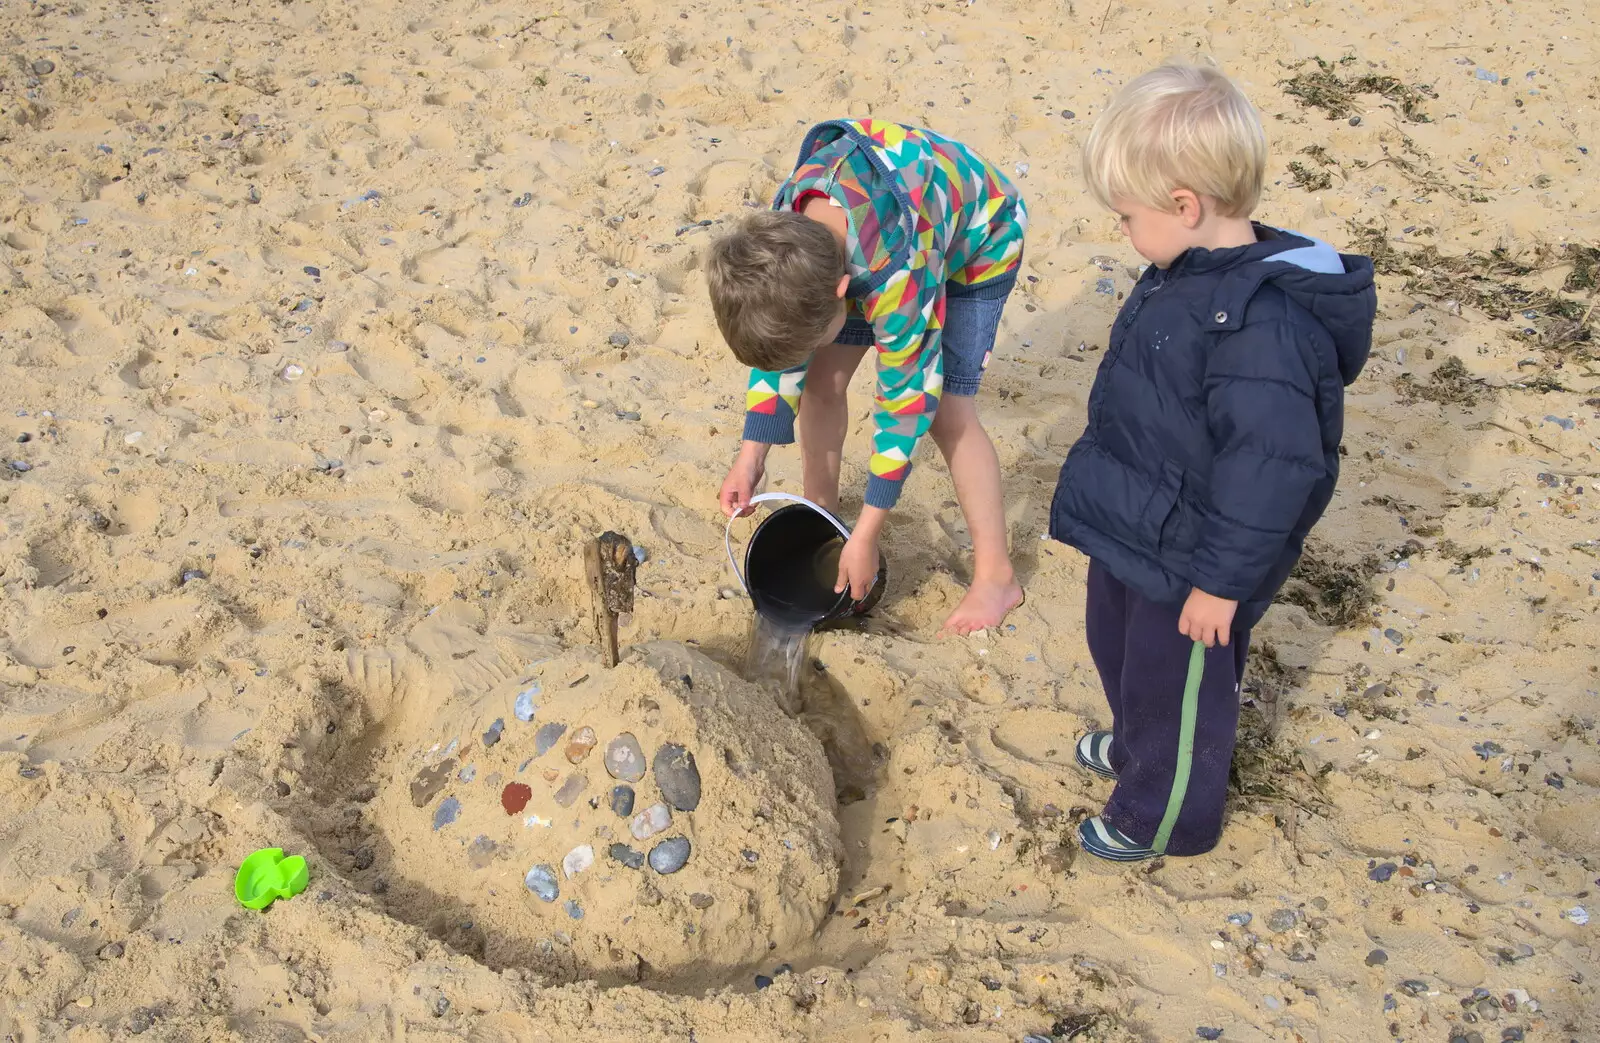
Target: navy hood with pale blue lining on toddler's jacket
[(1335, 289)]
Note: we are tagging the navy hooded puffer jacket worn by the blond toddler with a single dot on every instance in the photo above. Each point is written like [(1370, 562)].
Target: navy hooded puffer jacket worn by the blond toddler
[(1215, 420)]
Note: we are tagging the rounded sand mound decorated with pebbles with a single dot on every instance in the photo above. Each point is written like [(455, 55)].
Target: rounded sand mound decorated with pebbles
[(738, 777)]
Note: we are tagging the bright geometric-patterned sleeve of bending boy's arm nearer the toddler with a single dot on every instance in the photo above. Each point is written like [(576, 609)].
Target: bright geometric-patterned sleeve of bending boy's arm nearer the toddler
[(908, 318)]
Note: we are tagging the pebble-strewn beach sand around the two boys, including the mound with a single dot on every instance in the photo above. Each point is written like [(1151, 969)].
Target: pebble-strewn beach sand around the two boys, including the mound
[(330, 332)]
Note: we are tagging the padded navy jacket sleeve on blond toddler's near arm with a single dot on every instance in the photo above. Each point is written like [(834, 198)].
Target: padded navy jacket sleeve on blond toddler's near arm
[(1263, 417)]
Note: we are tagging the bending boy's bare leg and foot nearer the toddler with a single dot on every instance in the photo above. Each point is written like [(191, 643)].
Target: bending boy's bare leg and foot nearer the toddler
[(977, 474)]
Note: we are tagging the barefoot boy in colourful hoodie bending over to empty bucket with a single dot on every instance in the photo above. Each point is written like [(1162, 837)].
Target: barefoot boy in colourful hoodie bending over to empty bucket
[(897, 239)]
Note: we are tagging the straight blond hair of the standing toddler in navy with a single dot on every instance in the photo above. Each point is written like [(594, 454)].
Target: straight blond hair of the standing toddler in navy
[(1178, 127)]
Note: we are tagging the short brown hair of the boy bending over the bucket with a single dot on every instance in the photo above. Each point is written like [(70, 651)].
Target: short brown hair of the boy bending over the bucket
[(775, 287)]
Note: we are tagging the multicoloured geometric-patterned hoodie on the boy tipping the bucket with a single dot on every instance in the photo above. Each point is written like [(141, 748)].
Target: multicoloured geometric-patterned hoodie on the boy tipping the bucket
[(922, 212)]
